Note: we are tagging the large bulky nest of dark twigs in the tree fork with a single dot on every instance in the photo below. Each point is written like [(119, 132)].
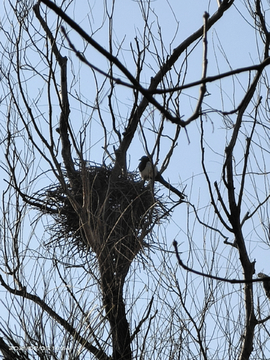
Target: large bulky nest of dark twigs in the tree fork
[(120, 215)]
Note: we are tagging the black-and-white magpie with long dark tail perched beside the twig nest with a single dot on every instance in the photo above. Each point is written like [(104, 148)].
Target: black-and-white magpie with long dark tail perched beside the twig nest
[(147, 168)]
